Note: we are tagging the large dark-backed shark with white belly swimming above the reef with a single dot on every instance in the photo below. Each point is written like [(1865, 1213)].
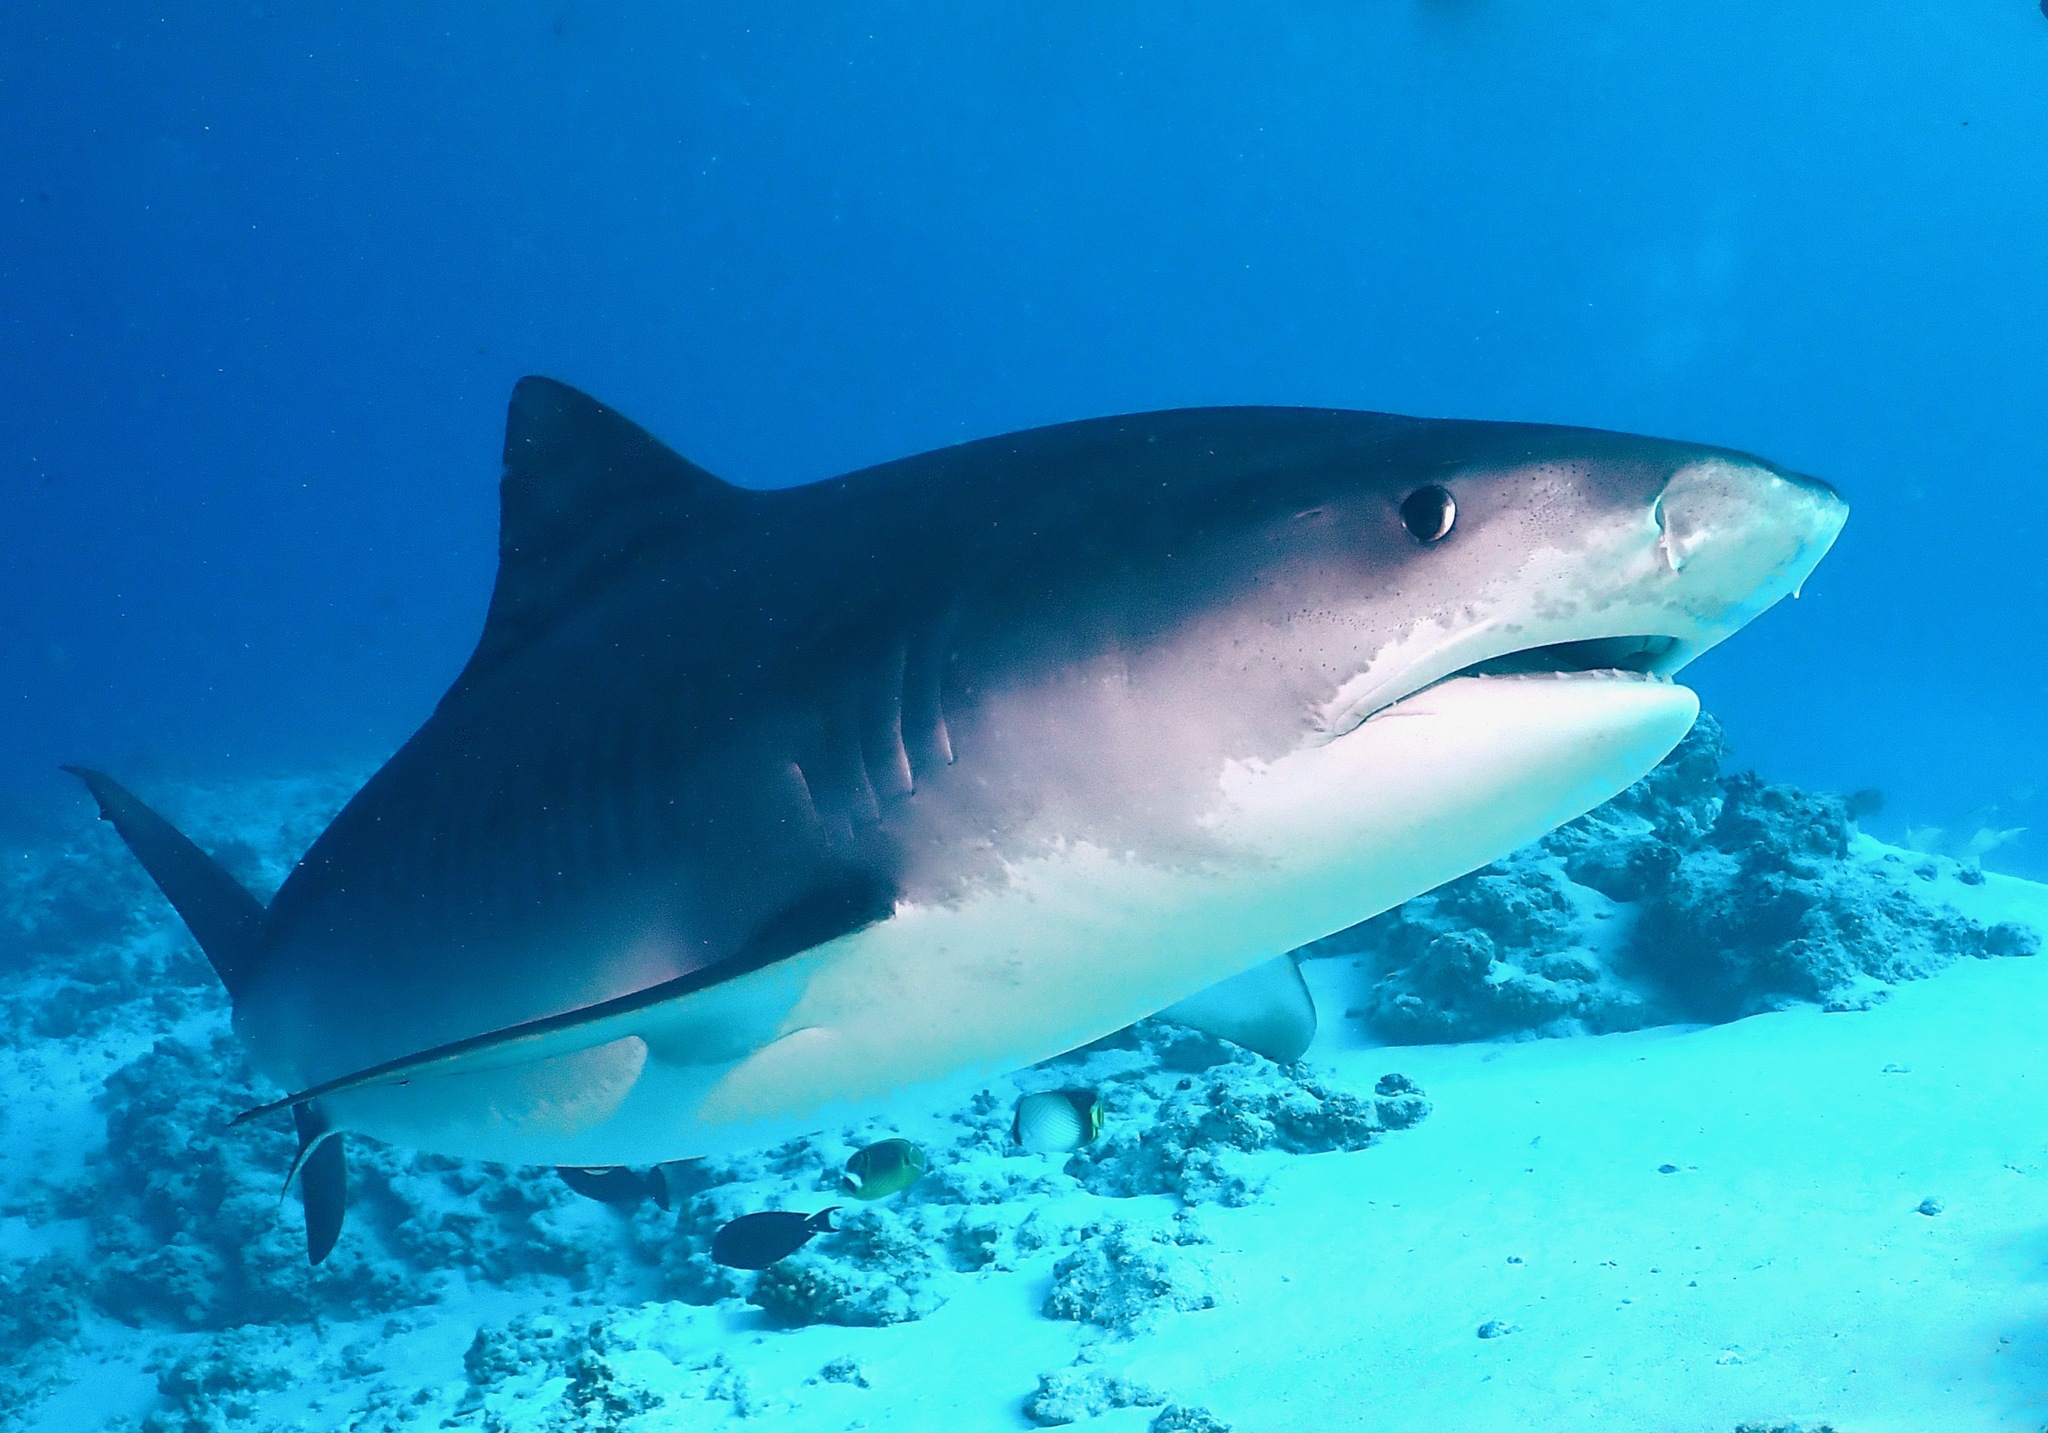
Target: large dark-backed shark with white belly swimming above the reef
[(757, 810)]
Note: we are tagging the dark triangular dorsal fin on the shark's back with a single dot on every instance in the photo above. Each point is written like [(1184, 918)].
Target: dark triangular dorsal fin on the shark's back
[(583, 492)]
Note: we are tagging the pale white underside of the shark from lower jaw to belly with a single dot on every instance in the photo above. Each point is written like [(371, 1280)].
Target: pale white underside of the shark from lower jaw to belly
[(1074, 947)]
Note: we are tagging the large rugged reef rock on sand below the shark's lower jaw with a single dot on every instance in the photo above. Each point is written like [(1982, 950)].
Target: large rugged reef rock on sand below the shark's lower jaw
[(1697, 896)]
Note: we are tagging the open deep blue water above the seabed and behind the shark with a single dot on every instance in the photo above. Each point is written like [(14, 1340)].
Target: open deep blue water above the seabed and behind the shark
[(271, 273)]
